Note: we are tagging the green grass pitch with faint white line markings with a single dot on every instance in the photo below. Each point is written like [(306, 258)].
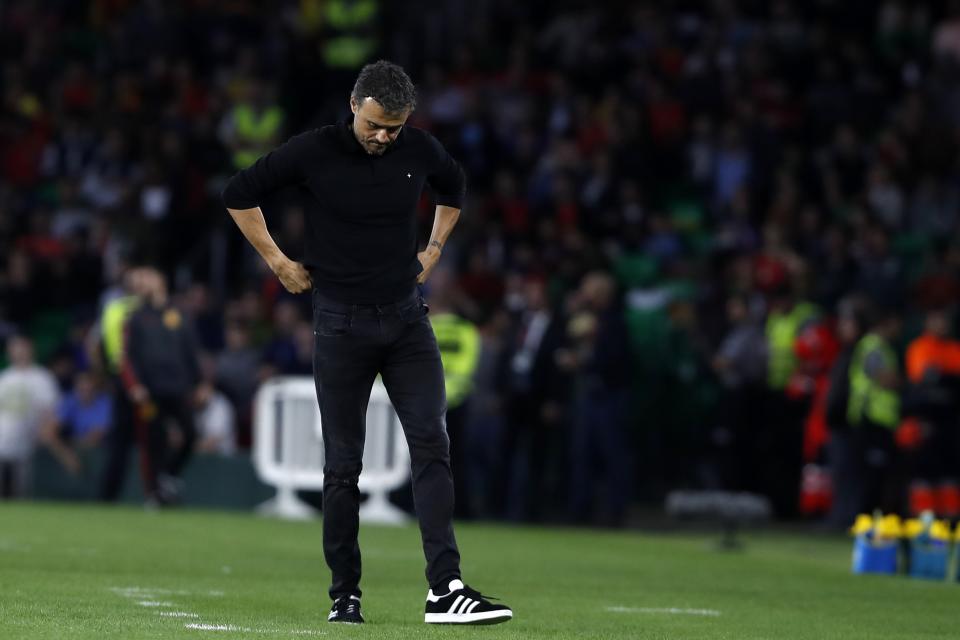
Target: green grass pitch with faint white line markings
[(79, 572)]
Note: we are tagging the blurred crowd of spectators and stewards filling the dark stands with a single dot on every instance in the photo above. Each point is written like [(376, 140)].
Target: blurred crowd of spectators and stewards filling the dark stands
[(705, 244)]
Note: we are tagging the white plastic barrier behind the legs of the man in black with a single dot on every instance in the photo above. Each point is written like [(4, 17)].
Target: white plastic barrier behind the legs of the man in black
[(288, 450)]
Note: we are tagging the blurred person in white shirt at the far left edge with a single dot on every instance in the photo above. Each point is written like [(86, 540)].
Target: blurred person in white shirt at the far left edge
[(28, 399)]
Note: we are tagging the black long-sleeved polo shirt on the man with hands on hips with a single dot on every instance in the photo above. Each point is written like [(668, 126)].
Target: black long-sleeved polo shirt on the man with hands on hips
[(361, 222)]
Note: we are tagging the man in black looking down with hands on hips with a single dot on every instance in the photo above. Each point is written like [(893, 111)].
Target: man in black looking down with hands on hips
[(363, 179)]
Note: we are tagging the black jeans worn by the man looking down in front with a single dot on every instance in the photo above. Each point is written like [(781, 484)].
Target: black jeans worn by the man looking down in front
[(353, 344)]
